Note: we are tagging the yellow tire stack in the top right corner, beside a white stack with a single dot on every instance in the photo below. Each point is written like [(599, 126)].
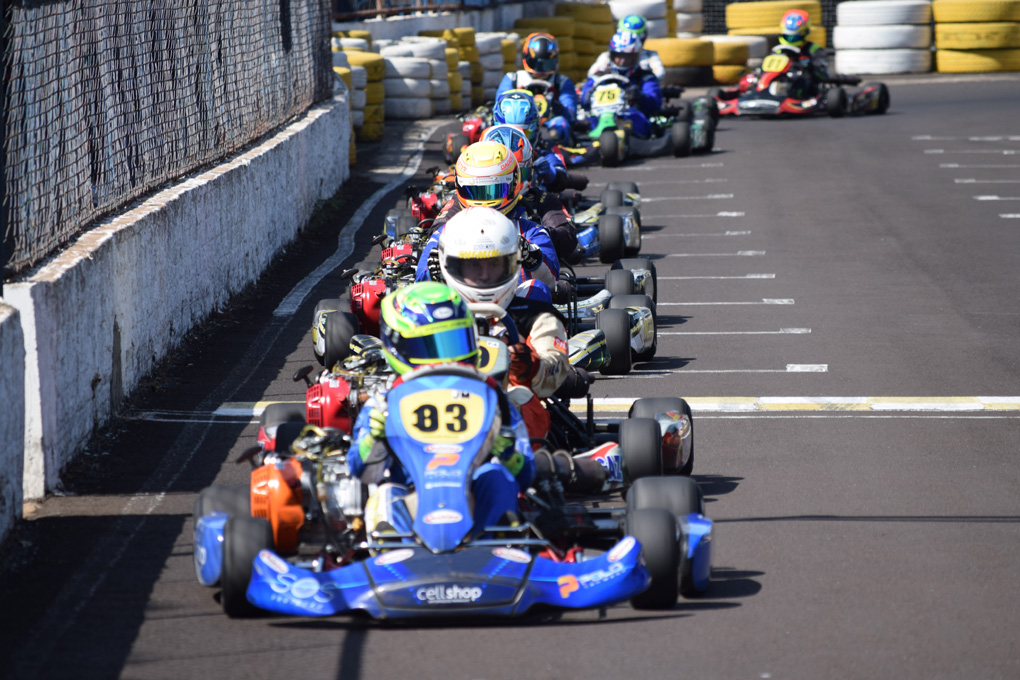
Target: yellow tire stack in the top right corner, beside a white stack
[(977, 36)]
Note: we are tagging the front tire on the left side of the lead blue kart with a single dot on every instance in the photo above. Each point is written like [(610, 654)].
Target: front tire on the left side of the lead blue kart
[(243, 539)]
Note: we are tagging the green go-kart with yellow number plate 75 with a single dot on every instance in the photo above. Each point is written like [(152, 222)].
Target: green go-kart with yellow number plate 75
[(615, 132)]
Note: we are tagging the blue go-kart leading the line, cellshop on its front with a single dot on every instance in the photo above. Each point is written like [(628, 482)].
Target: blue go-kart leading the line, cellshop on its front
[(296, 543)]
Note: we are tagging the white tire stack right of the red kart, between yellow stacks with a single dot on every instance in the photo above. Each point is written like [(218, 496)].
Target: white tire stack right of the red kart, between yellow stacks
[(881, 37)]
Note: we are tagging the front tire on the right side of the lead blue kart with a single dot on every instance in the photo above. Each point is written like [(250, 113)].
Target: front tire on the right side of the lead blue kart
[(656, 532)]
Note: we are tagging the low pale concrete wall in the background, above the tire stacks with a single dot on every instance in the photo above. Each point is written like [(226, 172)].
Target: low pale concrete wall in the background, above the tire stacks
[(500, 18)]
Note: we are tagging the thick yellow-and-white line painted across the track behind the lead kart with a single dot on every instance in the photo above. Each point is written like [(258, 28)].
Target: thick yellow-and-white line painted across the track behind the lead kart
[(234, 412)]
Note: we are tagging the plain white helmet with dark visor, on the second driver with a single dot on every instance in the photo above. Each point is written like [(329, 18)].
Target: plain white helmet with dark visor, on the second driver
[(480, 255)]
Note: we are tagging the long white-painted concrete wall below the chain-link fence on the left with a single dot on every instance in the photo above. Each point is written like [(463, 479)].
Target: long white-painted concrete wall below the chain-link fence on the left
[(98, 317)]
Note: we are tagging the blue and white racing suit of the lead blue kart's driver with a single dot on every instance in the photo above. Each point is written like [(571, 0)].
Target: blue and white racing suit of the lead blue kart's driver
[(495, 486)]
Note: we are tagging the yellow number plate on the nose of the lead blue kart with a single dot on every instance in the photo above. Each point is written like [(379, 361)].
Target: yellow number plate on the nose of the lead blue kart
[(443, 416)]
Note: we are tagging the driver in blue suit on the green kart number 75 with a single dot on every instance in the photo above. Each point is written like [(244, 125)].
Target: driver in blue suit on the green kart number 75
[(625, 61)]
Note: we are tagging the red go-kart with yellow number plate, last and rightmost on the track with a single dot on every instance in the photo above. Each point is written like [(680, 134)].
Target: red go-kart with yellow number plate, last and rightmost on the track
[(781, 88)]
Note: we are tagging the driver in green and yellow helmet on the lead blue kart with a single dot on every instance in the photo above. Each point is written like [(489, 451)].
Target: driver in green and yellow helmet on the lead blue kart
[(426, 325)]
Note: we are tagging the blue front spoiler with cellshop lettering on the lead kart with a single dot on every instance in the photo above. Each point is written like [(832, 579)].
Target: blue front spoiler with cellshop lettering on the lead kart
[(412, 583)]
